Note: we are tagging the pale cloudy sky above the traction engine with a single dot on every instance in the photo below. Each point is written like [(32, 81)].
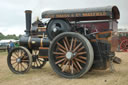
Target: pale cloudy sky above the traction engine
[(12, 17)]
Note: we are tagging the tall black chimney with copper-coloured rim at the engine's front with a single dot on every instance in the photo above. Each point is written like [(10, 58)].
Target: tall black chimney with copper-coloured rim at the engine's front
[(28, 15)]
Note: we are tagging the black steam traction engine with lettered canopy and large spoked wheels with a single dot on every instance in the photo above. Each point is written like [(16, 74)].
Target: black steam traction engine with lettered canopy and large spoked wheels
[(73, 41)]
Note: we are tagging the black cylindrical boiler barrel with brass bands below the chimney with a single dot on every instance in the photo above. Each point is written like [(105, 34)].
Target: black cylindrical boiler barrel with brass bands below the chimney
[(34, 42)]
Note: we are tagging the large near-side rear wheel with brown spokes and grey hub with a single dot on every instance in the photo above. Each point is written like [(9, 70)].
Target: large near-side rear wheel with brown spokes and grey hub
[(71, 55)]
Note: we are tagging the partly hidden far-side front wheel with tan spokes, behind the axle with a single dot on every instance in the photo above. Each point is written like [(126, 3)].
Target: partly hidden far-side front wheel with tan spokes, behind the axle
[(37, 62)]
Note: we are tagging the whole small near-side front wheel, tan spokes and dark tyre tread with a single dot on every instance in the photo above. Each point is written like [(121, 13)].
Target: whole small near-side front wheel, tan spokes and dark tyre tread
[(19, 60)]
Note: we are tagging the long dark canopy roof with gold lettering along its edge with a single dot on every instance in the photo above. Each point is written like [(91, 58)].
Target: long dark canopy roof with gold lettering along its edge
[(99, 13)]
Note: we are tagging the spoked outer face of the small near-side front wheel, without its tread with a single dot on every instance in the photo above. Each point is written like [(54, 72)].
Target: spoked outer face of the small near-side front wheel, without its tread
[(19, 60)]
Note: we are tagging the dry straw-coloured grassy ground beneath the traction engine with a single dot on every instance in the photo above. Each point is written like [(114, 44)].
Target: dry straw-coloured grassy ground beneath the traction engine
[(46, 76)]
